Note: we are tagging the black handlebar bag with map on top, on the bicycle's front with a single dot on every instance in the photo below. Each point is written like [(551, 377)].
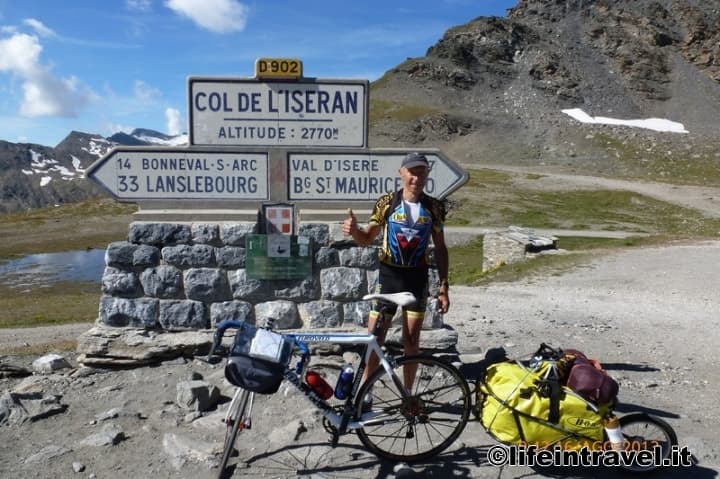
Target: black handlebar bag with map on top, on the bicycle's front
[(258, 359)]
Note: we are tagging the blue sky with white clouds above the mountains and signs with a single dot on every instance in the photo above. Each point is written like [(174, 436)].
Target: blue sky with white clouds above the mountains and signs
[(115, 65)]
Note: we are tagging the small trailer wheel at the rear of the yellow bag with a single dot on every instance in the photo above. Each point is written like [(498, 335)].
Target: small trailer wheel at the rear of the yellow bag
[(647, 433)]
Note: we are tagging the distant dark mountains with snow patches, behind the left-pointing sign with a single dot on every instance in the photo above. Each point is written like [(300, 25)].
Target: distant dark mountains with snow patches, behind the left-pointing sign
[(34, 176)]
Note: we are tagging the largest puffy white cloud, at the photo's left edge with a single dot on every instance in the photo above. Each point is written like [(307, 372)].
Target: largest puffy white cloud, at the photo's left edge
[(43, 93)]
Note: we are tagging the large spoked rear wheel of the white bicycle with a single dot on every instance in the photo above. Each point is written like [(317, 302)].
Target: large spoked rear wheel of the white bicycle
[(421, 425)]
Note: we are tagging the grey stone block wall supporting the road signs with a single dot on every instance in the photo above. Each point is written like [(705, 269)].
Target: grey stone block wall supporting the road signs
[(186, 276)]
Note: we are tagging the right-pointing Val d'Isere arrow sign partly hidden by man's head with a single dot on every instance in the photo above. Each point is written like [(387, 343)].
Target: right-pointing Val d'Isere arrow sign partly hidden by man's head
[(328, 176)]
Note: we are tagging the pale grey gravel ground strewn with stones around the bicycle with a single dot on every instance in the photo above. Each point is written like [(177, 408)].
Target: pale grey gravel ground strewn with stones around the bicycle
[(650, 315)]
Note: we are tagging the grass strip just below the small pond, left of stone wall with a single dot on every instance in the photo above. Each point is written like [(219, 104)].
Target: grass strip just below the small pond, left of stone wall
[(57, 303)]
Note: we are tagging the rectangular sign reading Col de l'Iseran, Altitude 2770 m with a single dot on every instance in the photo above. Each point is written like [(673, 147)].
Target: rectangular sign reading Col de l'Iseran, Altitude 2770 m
[(307, 112)]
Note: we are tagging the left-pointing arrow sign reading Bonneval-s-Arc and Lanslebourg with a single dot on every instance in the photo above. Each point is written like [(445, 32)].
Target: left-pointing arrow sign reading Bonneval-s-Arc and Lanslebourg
[(162, 174)]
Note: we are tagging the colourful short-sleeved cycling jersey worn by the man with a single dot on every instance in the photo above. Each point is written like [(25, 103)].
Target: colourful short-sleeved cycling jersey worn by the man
[(405, 243)]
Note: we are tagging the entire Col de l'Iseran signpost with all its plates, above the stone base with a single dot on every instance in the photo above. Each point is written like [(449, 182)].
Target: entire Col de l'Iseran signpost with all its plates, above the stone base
[(276, 138)]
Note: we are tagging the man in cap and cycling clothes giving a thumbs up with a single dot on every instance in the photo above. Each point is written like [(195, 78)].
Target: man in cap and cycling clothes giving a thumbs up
[(408, 219)]
